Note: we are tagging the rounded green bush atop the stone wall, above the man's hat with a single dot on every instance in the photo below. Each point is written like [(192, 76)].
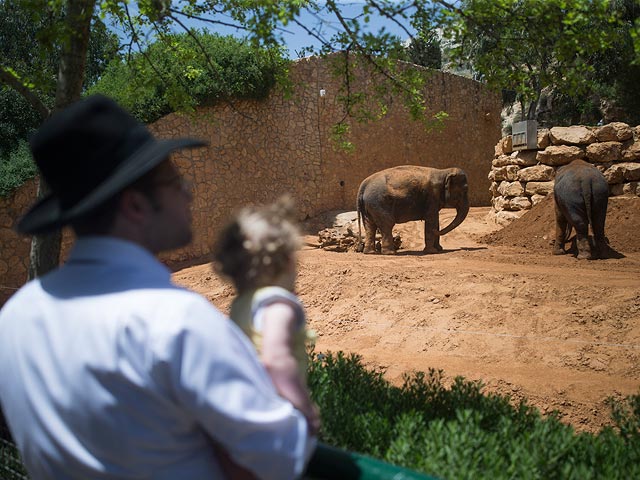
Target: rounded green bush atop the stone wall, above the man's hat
[(181, 71)]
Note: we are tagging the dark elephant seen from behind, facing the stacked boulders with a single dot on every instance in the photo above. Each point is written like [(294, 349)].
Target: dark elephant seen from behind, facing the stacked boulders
[(581, 196)]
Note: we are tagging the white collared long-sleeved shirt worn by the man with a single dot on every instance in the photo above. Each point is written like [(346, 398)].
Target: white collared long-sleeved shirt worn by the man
[(109, 370)]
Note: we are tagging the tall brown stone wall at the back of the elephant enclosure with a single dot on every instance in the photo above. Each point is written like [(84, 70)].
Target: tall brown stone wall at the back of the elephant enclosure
[(261, 149)]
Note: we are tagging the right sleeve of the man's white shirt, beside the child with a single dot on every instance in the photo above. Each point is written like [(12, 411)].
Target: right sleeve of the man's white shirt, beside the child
[(218, 377)]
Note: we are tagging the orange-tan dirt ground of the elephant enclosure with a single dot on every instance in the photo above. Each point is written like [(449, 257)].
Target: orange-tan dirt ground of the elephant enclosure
[(495, 306)]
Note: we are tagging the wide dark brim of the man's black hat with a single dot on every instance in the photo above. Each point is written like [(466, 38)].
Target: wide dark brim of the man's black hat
[(47, 214)]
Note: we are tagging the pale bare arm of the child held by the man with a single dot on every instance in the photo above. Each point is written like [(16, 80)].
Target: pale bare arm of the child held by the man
[(278, 329)]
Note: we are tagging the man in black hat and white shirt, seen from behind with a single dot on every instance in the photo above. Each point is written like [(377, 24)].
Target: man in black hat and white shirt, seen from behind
[(109, 370)]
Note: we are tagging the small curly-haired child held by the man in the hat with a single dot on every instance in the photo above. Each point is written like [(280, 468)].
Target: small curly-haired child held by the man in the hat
[(257, 251)]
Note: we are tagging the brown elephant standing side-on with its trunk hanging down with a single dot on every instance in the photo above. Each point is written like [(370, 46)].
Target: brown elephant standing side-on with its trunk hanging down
[(409, 192)]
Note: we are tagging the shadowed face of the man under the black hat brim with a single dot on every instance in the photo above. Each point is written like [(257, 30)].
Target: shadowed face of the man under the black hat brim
[(169, 225)]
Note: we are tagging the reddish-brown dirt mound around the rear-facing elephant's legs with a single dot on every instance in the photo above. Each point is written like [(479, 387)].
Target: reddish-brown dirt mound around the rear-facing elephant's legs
[(535, 230)]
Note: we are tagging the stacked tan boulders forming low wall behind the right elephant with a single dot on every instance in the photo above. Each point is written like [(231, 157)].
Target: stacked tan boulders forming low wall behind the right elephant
[(521, 179)]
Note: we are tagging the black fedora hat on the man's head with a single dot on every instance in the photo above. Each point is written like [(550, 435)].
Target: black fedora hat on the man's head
[(87, 153)]
